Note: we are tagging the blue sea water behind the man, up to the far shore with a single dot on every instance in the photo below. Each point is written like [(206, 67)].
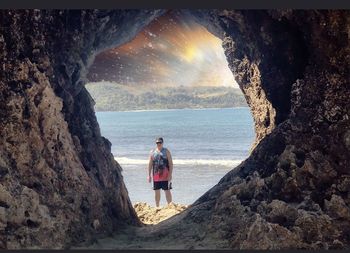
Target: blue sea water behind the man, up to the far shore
[(205, 144)]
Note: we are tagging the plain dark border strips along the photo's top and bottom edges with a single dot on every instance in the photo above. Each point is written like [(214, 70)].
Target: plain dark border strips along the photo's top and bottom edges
[(174, 4)]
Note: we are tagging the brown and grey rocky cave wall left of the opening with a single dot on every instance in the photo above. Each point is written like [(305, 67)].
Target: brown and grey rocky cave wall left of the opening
[(59, 182)]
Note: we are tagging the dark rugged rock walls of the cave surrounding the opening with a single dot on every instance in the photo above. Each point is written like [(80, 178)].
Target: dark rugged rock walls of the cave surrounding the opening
[(291, 192)]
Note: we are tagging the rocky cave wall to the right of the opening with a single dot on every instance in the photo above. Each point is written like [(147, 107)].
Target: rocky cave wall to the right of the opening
[(294, 189)]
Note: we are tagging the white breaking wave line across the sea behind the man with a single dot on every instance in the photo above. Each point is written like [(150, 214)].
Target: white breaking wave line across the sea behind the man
[(229, 163)]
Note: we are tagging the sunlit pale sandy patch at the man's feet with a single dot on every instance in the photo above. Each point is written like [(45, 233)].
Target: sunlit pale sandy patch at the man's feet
[(152, 215)]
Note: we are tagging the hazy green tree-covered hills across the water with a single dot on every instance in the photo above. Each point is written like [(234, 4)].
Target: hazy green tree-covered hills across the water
[(115, 97)]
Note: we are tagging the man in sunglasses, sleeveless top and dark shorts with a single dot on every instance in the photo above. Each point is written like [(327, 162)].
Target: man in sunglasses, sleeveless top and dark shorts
[(161, 167)]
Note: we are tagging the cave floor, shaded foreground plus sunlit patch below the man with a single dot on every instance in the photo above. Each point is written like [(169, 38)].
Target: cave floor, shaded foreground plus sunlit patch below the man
[(150, 235)]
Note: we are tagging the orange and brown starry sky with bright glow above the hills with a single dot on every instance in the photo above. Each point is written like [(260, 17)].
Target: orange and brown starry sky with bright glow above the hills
[(173, 50)]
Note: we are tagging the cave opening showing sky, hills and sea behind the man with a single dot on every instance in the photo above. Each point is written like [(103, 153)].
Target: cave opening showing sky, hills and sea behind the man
[(152, 86)]
